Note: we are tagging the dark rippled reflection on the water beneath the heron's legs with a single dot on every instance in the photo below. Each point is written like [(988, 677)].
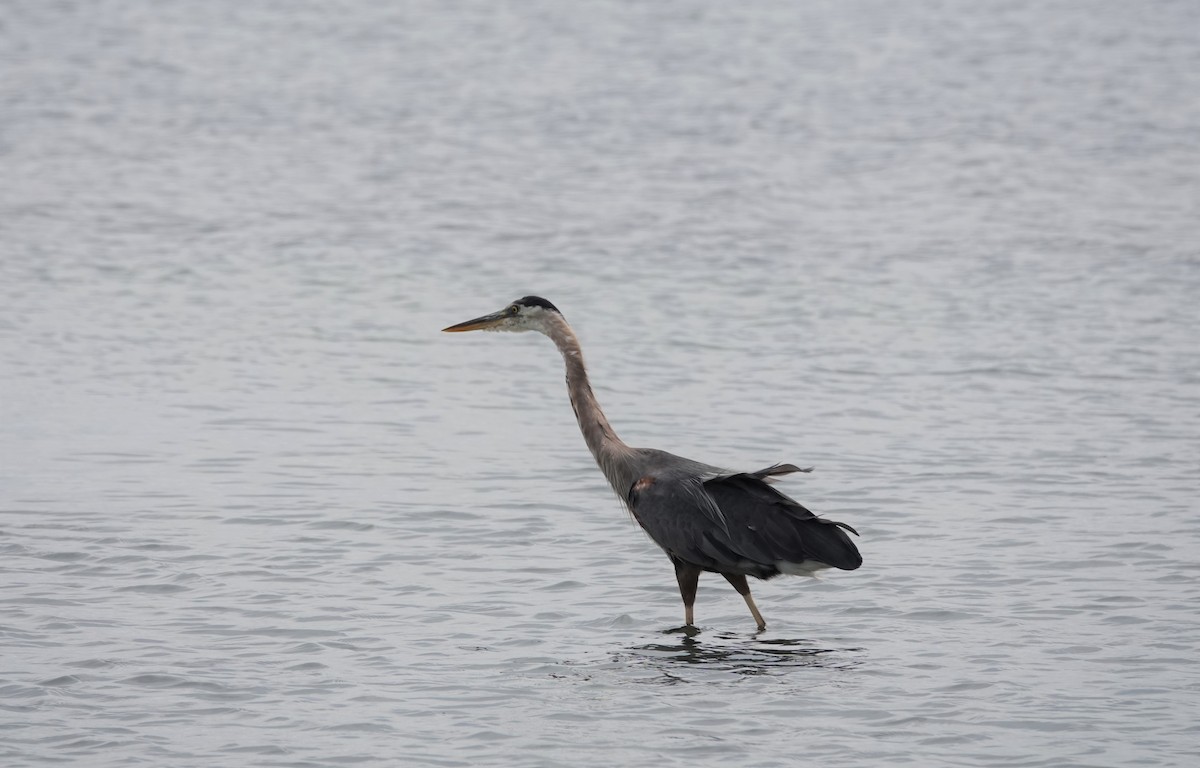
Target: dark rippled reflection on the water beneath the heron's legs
[(741, 655)]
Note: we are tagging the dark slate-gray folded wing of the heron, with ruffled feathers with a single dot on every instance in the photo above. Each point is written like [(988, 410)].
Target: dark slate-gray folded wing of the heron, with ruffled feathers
[(739, 524)]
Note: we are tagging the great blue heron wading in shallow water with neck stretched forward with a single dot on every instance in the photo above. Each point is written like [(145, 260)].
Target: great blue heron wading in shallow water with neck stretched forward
[(706, 519)]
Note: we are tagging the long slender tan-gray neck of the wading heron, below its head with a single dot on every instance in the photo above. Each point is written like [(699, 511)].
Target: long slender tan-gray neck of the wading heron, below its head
[(610, 452)]
